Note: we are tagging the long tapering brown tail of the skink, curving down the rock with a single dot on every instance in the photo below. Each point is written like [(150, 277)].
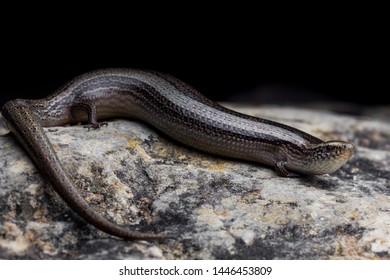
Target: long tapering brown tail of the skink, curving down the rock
[(26, 127)]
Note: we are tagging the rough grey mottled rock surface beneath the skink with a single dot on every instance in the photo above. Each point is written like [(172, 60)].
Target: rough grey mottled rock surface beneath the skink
[(218, 208)]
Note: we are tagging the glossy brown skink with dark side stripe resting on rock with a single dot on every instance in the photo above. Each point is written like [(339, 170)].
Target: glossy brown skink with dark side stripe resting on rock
[(174, 108)]
